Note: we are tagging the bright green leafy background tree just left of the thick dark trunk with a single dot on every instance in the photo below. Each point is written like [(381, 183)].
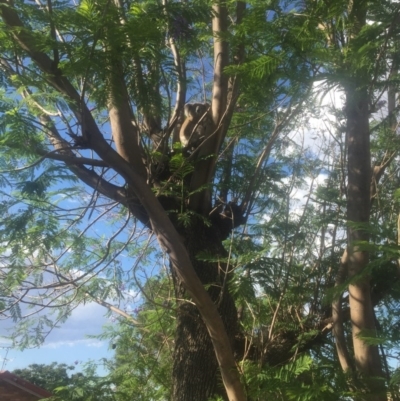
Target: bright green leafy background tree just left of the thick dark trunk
[(144, 355)]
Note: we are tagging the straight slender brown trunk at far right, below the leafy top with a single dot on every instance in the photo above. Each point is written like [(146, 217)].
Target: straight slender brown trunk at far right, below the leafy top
[(367, 359)]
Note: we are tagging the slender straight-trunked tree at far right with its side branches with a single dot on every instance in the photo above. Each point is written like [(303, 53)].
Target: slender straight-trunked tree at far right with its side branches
[(363, 76)]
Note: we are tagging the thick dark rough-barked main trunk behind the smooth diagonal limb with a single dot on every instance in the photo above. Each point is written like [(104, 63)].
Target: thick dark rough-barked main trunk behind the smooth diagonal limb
[(196, 376)]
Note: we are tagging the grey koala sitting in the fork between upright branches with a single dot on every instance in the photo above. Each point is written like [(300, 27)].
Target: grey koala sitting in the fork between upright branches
[(194, 128)]
